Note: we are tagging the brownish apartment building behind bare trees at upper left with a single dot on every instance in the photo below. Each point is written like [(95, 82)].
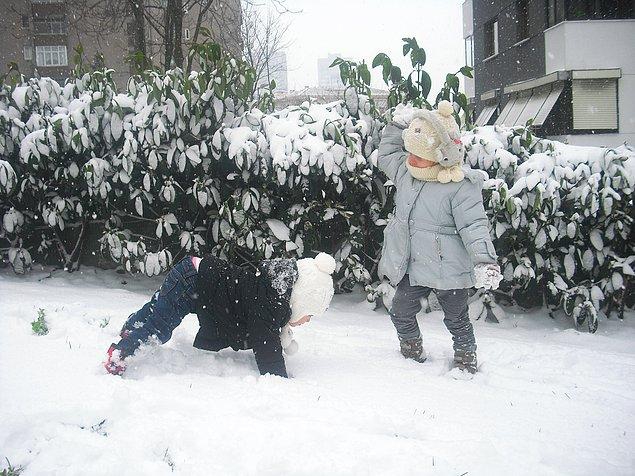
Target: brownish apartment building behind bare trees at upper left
[(41, 36)]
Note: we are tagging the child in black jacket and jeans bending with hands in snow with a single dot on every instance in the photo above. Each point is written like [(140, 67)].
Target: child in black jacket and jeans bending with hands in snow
[(236, 307)]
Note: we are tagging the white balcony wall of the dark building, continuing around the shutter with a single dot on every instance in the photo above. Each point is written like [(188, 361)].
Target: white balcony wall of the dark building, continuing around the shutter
[(598, 44)]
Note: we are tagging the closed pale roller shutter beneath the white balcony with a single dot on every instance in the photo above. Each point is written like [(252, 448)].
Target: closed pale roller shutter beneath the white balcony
[(594, 104)]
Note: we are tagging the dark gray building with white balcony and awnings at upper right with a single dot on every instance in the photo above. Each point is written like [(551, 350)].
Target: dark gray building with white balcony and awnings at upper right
[(565, 65)]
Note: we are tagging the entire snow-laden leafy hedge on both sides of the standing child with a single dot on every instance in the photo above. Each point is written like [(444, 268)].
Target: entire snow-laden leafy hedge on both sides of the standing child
[(177, 165)]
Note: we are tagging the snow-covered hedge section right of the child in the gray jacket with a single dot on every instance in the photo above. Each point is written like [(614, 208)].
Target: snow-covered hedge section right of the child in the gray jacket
[(562, 219)]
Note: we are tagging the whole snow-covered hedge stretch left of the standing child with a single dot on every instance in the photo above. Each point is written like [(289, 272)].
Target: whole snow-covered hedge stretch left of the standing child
[(176, 165)]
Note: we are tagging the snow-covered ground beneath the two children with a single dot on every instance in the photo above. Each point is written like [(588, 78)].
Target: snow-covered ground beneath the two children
[(548, 400)]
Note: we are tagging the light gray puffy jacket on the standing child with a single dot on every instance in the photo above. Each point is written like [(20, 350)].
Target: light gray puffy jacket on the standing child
[(439, 231)]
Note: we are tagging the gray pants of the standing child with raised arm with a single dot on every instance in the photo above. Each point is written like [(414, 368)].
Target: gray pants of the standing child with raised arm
[(407, 303)]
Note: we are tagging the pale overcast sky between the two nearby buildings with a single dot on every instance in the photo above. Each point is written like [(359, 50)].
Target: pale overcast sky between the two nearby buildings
[(359, 29)]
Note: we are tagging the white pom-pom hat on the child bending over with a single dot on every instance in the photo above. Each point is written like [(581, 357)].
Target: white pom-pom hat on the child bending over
[(313, 290)]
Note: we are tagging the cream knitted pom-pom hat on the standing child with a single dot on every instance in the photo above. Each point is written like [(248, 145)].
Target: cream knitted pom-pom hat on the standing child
[(434, 136)]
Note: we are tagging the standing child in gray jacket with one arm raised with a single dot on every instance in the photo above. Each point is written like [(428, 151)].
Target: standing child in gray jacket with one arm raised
[(438, 239)]
